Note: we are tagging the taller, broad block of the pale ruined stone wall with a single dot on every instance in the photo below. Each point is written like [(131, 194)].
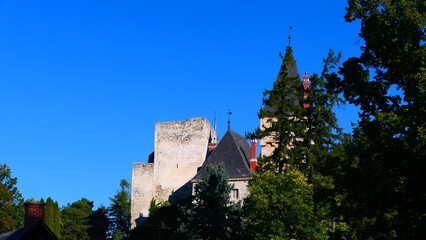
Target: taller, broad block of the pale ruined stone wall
[(180, 148)]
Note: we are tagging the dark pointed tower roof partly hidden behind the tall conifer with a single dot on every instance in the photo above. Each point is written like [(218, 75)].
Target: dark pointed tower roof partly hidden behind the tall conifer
[(288, 66)]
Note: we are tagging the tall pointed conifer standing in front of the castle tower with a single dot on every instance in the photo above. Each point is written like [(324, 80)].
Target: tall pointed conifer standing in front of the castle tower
[(284, 114)]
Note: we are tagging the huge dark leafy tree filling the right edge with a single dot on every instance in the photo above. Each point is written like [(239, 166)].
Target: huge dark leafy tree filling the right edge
[(385, 167)]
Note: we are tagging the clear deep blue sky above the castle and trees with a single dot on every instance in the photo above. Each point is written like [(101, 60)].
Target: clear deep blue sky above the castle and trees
[(83, 82)]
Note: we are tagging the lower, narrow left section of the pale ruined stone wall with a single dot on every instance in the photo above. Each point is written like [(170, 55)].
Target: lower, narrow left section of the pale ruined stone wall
[(142, 189)]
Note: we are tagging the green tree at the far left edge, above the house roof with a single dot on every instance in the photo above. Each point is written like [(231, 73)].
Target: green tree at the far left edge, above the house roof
[(11, 201)]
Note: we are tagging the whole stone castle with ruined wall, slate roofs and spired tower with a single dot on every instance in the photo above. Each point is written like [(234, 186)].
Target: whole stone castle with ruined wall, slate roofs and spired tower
[(182, 149)]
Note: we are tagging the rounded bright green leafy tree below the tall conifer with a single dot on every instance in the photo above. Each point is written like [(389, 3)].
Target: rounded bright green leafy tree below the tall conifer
[(281, 206)]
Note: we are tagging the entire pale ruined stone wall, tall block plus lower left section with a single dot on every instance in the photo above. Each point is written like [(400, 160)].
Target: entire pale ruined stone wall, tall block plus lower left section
[(180, 149)]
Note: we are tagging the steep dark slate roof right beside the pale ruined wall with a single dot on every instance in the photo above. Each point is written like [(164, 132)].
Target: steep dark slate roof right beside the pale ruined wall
[(234, 152)]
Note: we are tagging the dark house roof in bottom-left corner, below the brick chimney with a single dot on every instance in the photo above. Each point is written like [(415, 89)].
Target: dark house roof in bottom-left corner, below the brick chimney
[(38, 230)]
